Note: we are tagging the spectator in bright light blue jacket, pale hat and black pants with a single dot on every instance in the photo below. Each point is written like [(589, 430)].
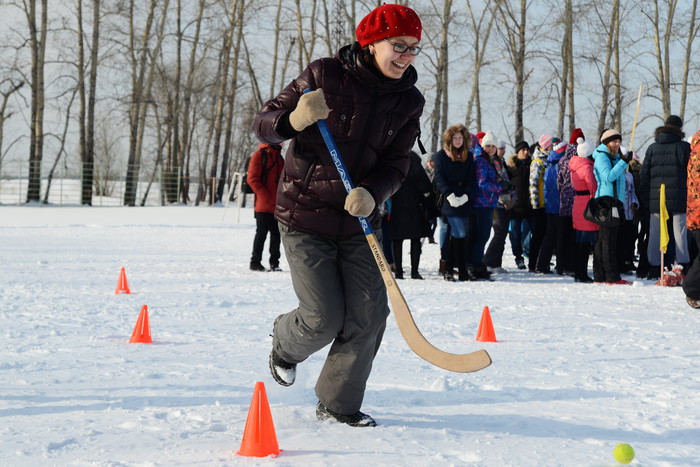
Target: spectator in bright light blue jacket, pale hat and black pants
[(609, 169)]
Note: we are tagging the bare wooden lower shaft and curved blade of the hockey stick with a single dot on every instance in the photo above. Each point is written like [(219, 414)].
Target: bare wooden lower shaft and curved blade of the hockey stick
[(459, 363)]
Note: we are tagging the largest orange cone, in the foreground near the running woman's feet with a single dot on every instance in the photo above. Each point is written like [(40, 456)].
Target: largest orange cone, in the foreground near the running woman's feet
[(259, 439)]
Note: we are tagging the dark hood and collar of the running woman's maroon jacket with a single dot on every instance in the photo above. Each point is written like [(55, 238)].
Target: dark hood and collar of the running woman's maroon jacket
[(353, 58)]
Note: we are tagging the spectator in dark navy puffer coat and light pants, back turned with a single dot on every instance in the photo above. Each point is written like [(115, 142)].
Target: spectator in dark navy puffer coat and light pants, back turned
[(666, 162)]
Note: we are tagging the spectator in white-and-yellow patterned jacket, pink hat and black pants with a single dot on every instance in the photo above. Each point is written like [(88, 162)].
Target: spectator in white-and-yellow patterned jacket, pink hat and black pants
[(538, 223)]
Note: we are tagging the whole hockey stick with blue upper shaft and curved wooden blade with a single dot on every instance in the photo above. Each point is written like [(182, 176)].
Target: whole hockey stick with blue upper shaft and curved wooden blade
[(460, 363)]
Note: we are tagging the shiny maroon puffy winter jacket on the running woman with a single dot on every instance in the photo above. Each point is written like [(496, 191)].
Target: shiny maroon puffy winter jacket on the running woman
[(374, 121)]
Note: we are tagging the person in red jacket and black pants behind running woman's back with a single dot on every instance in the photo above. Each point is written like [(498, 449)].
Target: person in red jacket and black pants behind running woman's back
[(263, 177)]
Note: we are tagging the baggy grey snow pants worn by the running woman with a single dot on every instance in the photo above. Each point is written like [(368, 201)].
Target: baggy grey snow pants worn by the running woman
[(343, 302)]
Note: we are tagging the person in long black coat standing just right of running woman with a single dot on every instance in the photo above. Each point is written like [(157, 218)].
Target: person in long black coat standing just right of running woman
[(409, 219)]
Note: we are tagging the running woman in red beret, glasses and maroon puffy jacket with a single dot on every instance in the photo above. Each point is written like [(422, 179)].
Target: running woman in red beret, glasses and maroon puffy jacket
[(368, 97)]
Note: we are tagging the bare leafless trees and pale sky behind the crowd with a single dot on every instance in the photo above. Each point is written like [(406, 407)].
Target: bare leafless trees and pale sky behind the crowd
[(133, 93)]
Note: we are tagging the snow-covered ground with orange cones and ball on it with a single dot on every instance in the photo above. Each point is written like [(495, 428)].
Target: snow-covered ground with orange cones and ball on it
[(577, 369)]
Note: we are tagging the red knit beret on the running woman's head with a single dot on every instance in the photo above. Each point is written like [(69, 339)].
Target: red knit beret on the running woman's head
[(388, 21)]
